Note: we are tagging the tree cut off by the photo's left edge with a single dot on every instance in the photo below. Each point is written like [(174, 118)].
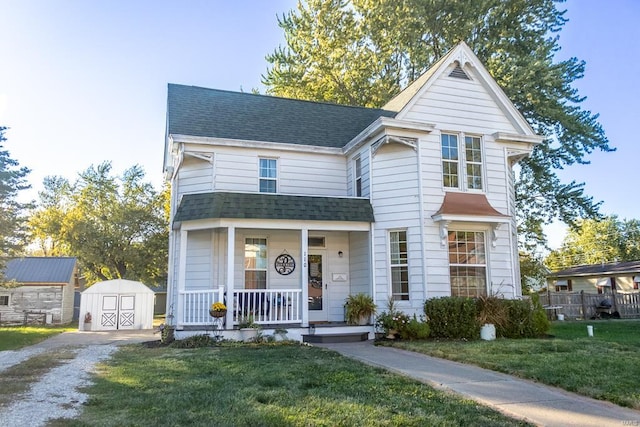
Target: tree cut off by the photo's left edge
[(12, 219)]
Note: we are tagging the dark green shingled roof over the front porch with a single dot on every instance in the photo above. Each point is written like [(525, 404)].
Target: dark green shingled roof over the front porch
[(272, 206)]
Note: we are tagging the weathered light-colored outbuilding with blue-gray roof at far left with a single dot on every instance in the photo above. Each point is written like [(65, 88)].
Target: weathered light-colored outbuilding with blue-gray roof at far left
[(43, 289)]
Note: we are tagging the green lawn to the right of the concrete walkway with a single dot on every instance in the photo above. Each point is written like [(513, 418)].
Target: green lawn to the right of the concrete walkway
[(605, 366)]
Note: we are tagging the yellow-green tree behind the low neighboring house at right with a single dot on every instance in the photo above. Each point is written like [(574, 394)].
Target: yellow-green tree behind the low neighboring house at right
[(598, 241)]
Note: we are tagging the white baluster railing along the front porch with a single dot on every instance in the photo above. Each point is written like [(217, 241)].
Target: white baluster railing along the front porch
[(265, 306)]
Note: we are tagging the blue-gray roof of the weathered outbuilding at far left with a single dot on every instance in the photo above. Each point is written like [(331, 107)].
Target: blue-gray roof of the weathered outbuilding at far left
[(40, 269)]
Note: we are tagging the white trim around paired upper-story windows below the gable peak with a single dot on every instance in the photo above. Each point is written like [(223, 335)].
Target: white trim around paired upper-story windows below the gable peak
[(462, 162)]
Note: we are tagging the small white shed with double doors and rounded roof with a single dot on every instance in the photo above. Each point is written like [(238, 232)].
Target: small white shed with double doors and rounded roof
[(116, 304)]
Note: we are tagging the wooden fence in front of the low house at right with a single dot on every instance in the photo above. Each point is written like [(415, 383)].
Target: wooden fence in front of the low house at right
[(582, 305)]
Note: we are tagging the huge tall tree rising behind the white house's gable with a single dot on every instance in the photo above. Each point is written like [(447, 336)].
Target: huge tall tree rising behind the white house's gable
[(363, 52)]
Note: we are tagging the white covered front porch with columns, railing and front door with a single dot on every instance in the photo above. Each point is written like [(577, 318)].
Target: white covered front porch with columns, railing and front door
[(282, 273)]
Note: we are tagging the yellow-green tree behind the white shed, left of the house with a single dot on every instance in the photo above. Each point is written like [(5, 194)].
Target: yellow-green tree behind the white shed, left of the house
[(116, 226)]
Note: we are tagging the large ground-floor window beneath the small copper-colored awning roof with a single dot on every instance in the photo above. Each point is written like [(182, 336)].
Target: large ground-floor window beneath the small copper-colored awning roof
[(467, 263)]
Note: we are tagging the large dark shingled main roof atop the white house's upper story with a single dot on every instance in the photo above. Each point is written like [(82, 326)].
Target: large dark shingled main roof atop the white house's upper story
[(216, 113)]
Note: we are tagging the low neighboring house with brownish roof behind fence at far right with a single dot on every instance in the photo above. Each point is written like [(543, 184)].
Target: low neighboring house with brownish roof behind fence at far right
[(597, 278)]
